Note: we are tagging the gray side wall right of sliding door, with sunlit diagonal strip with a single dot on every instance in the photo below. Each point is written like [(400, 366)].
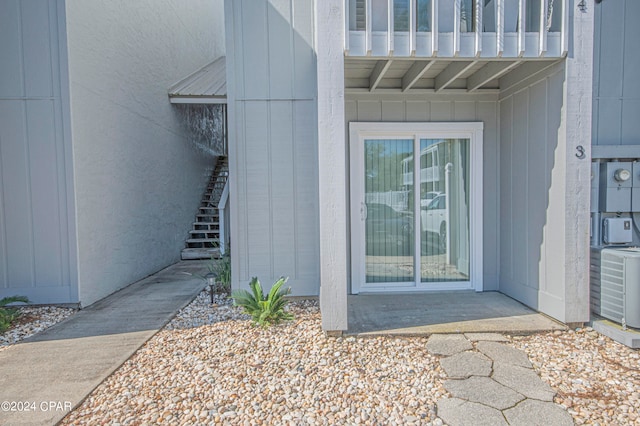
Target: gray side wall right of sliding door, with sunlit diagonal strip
[(532, 208)]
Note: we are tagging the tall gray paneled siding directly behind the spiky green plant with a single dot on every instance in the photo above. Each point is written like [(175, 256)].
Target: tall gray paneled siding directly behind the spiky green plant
[(273, 159)]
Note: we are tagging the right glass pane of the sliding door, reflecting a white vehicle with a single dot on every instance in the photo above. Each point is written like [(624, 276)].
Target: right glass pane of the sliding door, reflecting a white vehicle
[(444, 210)]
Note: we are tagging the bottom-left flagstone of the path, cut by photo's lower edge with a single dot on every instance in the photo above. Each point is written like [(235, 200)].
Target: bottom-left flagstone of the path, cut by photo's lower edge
[(457, 412)]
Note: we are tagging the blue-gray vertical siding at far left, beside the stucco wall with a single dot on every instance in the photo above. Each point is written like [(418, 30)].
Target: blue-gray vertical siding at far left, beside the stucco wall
[(37, 242)]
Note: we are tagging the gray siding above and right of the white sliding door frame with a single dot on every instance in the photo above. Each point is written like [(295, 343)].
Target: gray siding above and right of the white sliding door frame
[(448, 108)]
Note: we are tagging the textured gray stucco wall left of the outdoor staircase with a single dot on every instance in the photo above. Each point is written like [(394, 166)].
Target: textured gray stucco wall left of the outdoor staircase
[(138, 179)]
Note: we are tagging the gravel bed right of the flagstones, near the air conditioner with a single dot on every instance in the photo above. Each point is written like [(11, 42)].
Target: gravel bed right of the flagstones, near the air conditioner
[(597, 379)]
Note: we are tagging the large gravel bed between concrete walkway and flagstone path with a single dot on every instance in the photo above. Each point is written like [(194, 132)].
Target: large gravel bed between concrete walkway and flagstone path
[(225, 371)]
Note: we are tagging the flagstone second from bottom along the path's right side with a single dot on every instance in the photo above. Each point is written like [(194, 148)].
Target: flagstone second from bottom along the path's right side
[(522, 380)]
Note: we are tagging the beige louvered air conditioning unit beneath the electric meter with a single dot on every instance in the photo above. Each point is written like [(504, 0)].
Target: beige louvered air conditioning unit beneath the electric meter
[(615, 284)]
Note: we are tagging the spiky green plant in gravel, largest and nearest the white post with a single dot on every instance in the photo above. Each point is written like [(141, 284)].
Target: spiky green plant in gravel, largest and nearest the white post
[(264, 310)]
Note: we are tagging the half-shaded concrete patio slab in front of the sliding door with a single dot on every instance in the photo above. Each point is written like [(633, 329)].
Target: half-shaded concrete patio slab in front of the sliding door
[(418, 314)]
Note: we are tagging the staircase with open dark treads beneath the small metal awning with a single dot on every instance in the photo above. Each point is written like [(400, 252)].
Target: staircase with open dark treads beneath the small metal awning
[(204, 237)]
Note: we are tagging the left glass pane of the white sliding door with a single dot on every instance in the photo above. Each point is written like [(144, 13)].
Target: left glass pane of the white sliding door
[(389, 222)]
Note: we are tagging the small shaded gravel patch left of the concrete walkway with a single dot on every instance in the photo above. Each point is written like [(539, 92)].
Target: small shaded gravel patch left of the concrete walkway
[(31, 321)]
